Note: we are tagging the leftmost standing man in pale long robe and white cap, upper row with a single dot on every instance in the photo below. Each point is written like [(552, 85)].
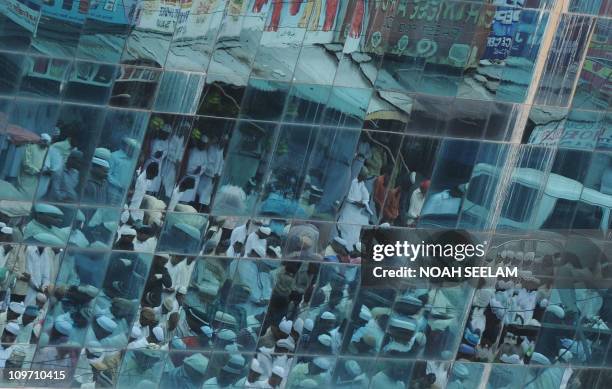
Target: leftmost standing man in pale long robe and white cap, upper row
[(31, 166)]
